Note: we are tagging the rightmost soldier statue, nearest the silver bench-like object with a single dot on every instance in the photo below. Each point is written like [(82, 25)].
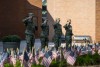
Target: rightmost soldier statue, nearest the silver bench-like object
[(68, 34)]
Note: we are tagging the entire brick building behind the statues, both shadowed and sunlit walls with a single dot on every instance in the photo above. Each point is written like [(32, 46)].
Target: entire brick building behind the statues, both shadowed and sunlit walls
[(85, 16)]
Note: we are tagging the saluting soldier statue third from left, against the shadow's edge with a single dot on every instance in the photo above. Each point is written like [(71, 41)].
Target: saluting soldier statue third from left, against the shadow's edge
[(58, 33)]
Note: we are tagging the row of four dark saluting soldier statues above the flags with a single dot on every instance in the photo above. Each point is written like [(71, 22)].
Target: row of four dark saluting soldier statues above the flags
[(31, 27)]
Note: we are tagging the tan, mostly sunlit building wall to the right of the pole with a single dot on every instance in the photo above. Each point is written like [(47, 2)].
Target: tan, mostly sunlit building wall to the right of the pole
[(85, 16)]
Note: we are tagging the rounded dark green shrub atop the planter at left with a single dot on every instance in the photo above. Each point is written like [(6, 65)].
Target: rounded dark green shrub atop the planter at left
[(11, 38)]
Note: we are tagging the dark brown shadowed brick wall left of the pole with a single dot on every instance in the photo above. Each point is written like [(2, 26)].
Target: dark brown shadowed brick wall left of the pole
[(13, 11)]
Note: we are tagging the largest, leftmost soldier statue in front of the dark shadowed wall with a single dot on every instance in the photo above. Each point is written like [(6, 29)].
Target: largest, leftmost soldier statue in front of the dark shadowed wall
[(31, 27)]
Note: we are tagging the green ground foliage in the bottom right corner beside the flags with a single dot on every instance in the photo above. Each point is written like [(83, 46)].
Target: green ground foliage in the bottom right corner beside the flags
[(88, 59)]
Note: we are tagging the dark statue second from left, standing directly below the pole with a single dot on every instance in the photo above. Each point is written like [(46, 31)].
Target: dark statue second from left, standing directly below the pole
[(44, 34)]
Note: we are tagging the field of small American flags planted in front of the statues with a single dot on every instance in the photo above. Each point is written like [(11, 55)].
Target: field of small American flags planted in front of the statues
[(45, 56)]
